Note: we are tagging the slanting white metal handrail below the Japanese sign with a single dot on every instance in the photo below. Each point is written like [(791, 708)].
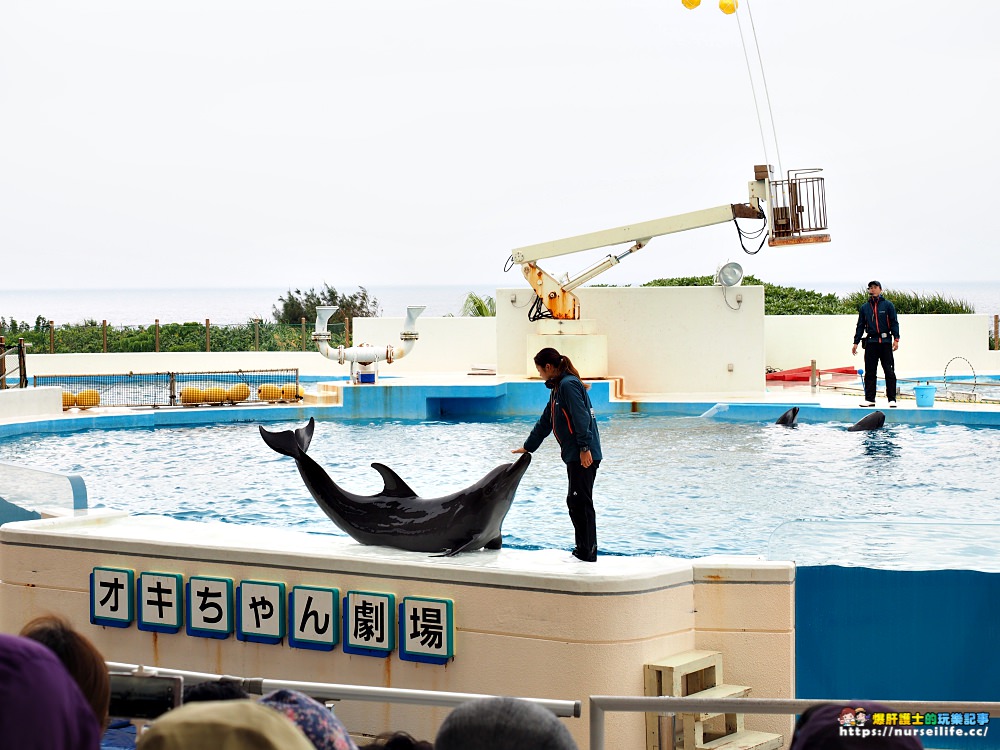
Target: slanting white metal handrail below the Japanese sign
[(334, 691)]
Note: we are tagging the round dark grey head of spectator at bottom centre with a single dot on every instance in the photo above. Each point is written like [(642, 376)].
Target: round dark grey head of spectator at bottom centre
[(502, 723)]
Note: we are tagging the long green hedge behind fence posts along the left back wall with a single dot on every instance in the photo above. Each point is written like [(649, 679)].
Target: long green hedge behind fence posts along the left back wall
[(94, 338)]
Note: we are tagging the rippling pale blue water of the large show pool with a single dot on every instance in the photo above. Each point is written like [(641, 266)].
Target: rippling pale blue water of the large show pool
[(685, 487)]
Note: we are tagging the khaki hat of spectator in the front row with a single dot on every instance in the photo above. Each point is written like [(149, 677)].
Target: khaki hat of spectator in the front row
[(223, 725)]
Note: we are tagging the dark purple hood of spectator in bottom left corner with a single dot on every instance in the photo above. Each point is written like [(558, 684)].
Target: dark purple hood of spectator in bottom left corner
[(41, 706)]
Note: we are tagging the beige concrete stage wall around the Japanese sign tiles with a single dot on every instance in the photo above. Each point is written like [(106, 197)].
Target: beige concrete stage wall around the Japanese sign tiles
[(529, 623)]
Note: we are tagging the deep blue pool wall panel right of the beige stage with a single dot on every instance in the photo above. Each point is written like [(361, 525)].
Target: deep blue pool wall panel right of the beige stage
[(899, 635)]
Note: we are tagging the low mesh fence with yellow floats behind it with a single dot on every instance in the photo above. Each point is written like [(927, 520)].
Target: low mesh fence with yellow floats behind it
[(188, 389)]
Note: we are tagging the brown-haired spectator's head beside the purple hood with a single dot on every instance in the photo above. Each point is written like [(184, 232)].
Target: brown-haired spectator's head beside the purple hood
[(81, 658)]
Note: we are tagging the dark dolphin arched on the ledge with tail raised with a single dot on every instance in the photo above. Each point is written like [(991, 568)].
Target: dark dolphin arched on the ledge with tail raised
[(395, 517)]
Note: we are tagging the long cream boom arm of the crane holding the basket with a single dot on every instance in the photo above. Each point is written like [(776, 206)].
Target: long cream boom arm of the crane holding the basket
[(631, 233)]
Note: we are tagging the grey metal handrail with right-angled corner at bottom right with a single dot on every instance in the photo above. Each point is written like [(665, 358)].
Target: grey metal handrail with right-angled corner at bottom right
[(669, 706)]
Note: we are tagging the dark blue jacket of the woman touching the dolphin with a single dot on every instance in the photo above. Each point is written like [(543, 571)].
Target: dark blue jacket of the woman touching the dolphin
[(570, 416)]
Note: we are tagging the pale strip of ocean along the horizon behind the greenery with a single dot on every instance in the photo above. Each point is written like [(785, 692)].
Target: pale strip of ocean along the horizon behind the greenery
[(239, 305)]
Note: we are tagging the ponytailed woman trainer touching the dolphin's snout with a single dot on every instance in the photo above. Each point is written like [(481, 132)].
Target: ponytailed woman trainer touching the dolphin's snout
[(570, 417)]
